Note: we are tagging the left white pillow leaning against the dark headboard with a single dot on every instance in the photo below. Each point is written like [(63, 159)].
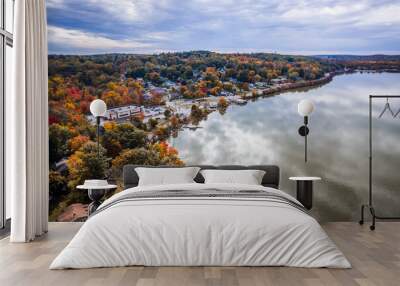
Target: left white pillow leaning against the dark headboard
[(166, 176)]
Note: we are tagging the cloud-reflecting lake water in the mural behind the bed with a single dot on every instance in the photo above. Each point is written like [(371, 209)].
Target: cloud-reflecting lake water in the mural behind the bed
[(265, 132)]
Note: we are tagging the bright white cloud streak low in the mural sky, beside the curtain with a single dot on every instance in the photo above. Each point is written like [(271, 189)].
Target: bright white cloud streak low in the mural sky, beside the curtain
[(89, 41)]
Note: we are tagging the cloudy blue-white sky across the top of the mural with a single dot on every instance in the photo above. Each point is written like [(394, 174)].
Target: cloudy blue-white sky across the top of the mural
[(283, 26)]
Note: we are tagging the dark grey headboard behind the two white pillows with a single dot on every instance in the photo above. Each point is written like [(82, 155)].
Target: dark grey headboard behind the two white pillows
[(270, 179)]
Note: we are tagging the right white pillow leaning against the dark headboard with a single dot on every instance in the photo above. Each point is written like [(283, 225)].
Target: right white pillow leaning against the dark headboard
[(248, 177)]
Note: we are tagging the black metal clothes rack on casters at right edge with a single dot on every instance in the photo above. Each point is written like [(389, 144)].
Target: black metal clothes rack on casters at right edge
[(370, 201)]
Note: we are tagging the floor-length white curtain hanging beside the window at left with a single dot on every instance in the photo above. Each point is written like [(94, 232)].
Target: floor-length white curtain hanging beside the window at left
[(27, 126)]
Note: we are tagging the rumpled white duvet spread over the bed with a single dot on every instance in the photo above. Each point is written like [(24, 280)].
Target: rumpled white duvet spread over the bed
[(202, 232)]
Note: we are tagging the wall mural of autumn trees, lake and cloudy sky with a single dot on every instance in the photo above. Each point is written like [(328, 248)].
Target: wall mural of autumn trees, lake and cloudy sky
[(218, 82)]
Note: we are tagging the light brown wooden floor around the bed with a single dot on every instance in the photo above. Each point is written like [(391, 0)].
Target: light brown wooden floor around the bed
[(375, 257)]
